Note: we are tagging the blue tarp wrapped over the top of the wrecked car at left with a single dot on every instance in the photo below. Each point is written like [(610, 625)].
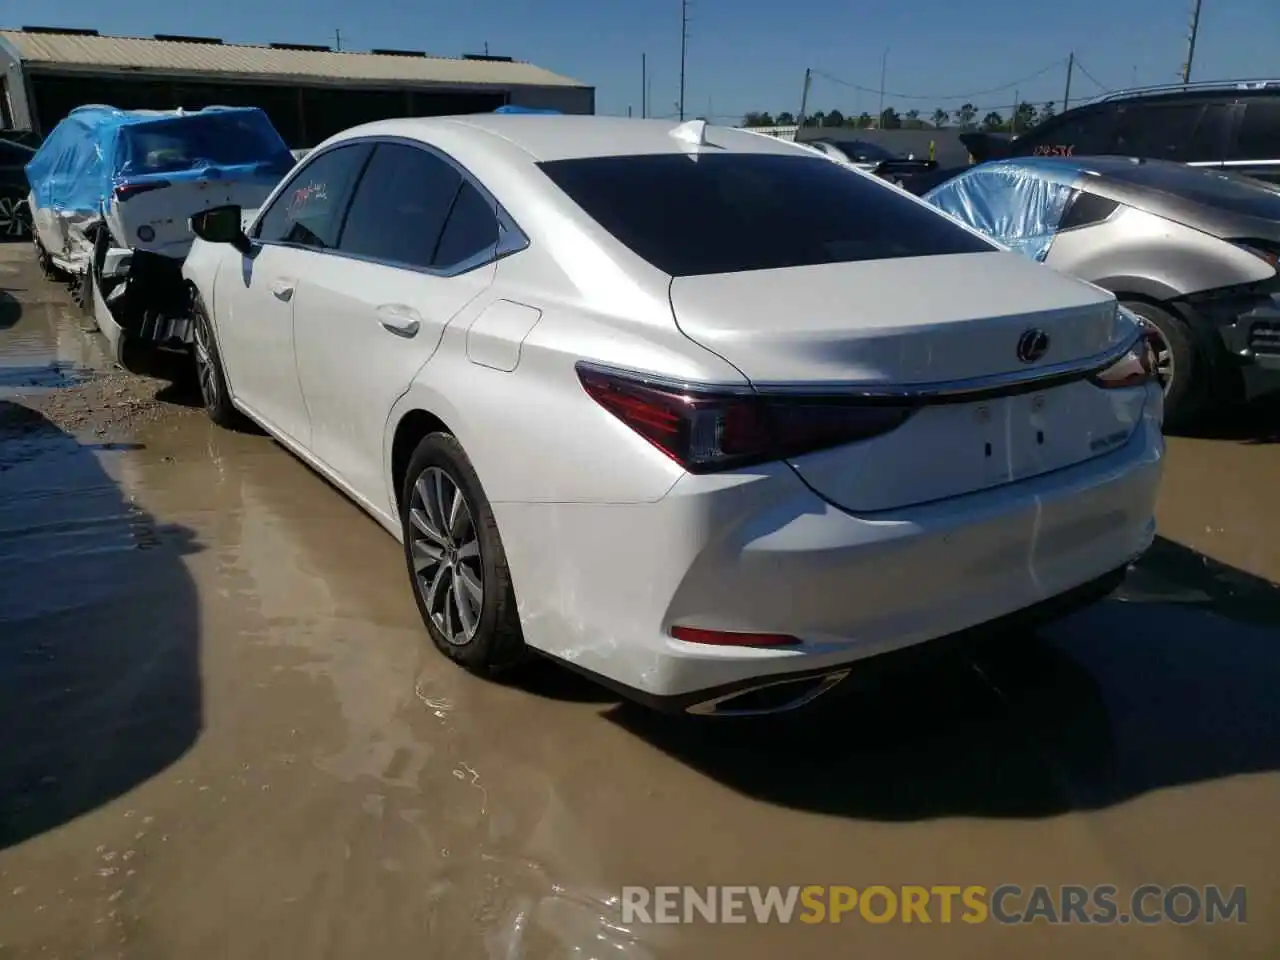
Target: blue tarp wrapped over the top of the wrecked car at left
[(97, 149)]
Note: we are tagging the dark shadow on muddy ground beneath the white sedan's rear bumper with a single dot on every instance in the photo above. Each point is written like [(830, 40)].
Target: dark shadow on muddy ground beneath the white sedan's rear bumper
[(1172, 682)]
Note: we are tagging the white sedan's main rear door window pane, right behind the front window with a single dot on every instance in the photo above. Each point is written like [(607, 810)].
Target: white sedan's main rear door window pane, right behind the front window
[(401, 207)]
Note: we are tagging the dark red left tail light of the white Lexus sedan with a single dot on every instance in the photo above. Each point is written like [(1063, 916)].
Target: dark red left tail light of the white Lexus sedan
[(707, 429)]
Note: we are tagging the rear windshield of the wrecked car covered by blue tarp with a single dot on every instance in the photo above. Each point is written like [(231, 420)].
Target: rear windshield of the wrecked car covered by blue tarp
[(186, 143)]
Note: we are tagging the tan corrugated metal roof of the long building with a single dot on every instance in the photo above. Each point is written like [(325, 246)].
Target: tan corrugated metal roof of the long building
[(179, 57)]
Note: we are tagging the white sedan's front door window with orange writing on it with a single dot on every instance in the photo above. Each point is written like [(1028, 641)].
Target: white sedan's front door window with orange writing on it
[(310, 209)]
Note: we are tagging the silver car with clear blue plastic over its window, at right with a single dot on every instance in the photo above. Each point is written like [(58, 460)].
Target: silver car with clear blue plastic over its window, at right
[(1192, 252)]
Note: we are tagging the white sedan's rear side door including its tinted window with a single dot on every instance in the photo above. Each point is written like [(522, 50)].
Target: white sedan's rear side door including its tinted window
[(417, 249)]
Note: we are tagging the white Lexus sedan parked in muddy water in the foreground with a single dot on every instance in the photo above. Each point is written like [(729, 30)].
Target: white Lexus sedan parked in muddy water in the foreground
[(691, 410)]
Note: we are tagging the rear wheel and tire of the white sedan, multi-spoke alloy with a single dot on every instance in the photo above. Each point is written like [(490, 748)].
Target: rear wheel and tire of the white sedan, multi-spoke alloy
[(481, 636)]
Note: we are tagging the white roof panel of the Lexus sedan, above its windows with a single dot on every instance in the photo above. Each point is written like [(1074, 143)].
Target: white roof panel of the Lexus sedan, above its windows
[(566, 138)]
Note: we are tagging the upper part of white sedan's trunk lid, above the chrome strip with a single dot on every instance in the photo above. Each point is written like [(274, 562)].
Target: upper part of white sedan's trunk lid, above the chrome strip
[(893, 322)]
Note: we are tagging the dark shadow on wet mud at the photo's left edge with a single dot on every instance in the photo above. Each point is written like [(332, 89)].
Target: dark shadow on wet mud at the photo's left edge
[(99, 633)]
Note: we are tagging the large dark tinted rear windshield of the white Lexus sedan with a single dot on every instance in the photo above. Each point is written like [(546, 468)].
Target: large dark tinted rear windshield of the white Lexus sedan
[(729, 213)]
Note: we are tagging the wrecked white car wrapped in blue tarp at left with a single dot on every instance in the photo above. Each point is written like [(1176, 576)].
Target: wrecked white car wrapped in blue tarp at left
[(112, 198)]
